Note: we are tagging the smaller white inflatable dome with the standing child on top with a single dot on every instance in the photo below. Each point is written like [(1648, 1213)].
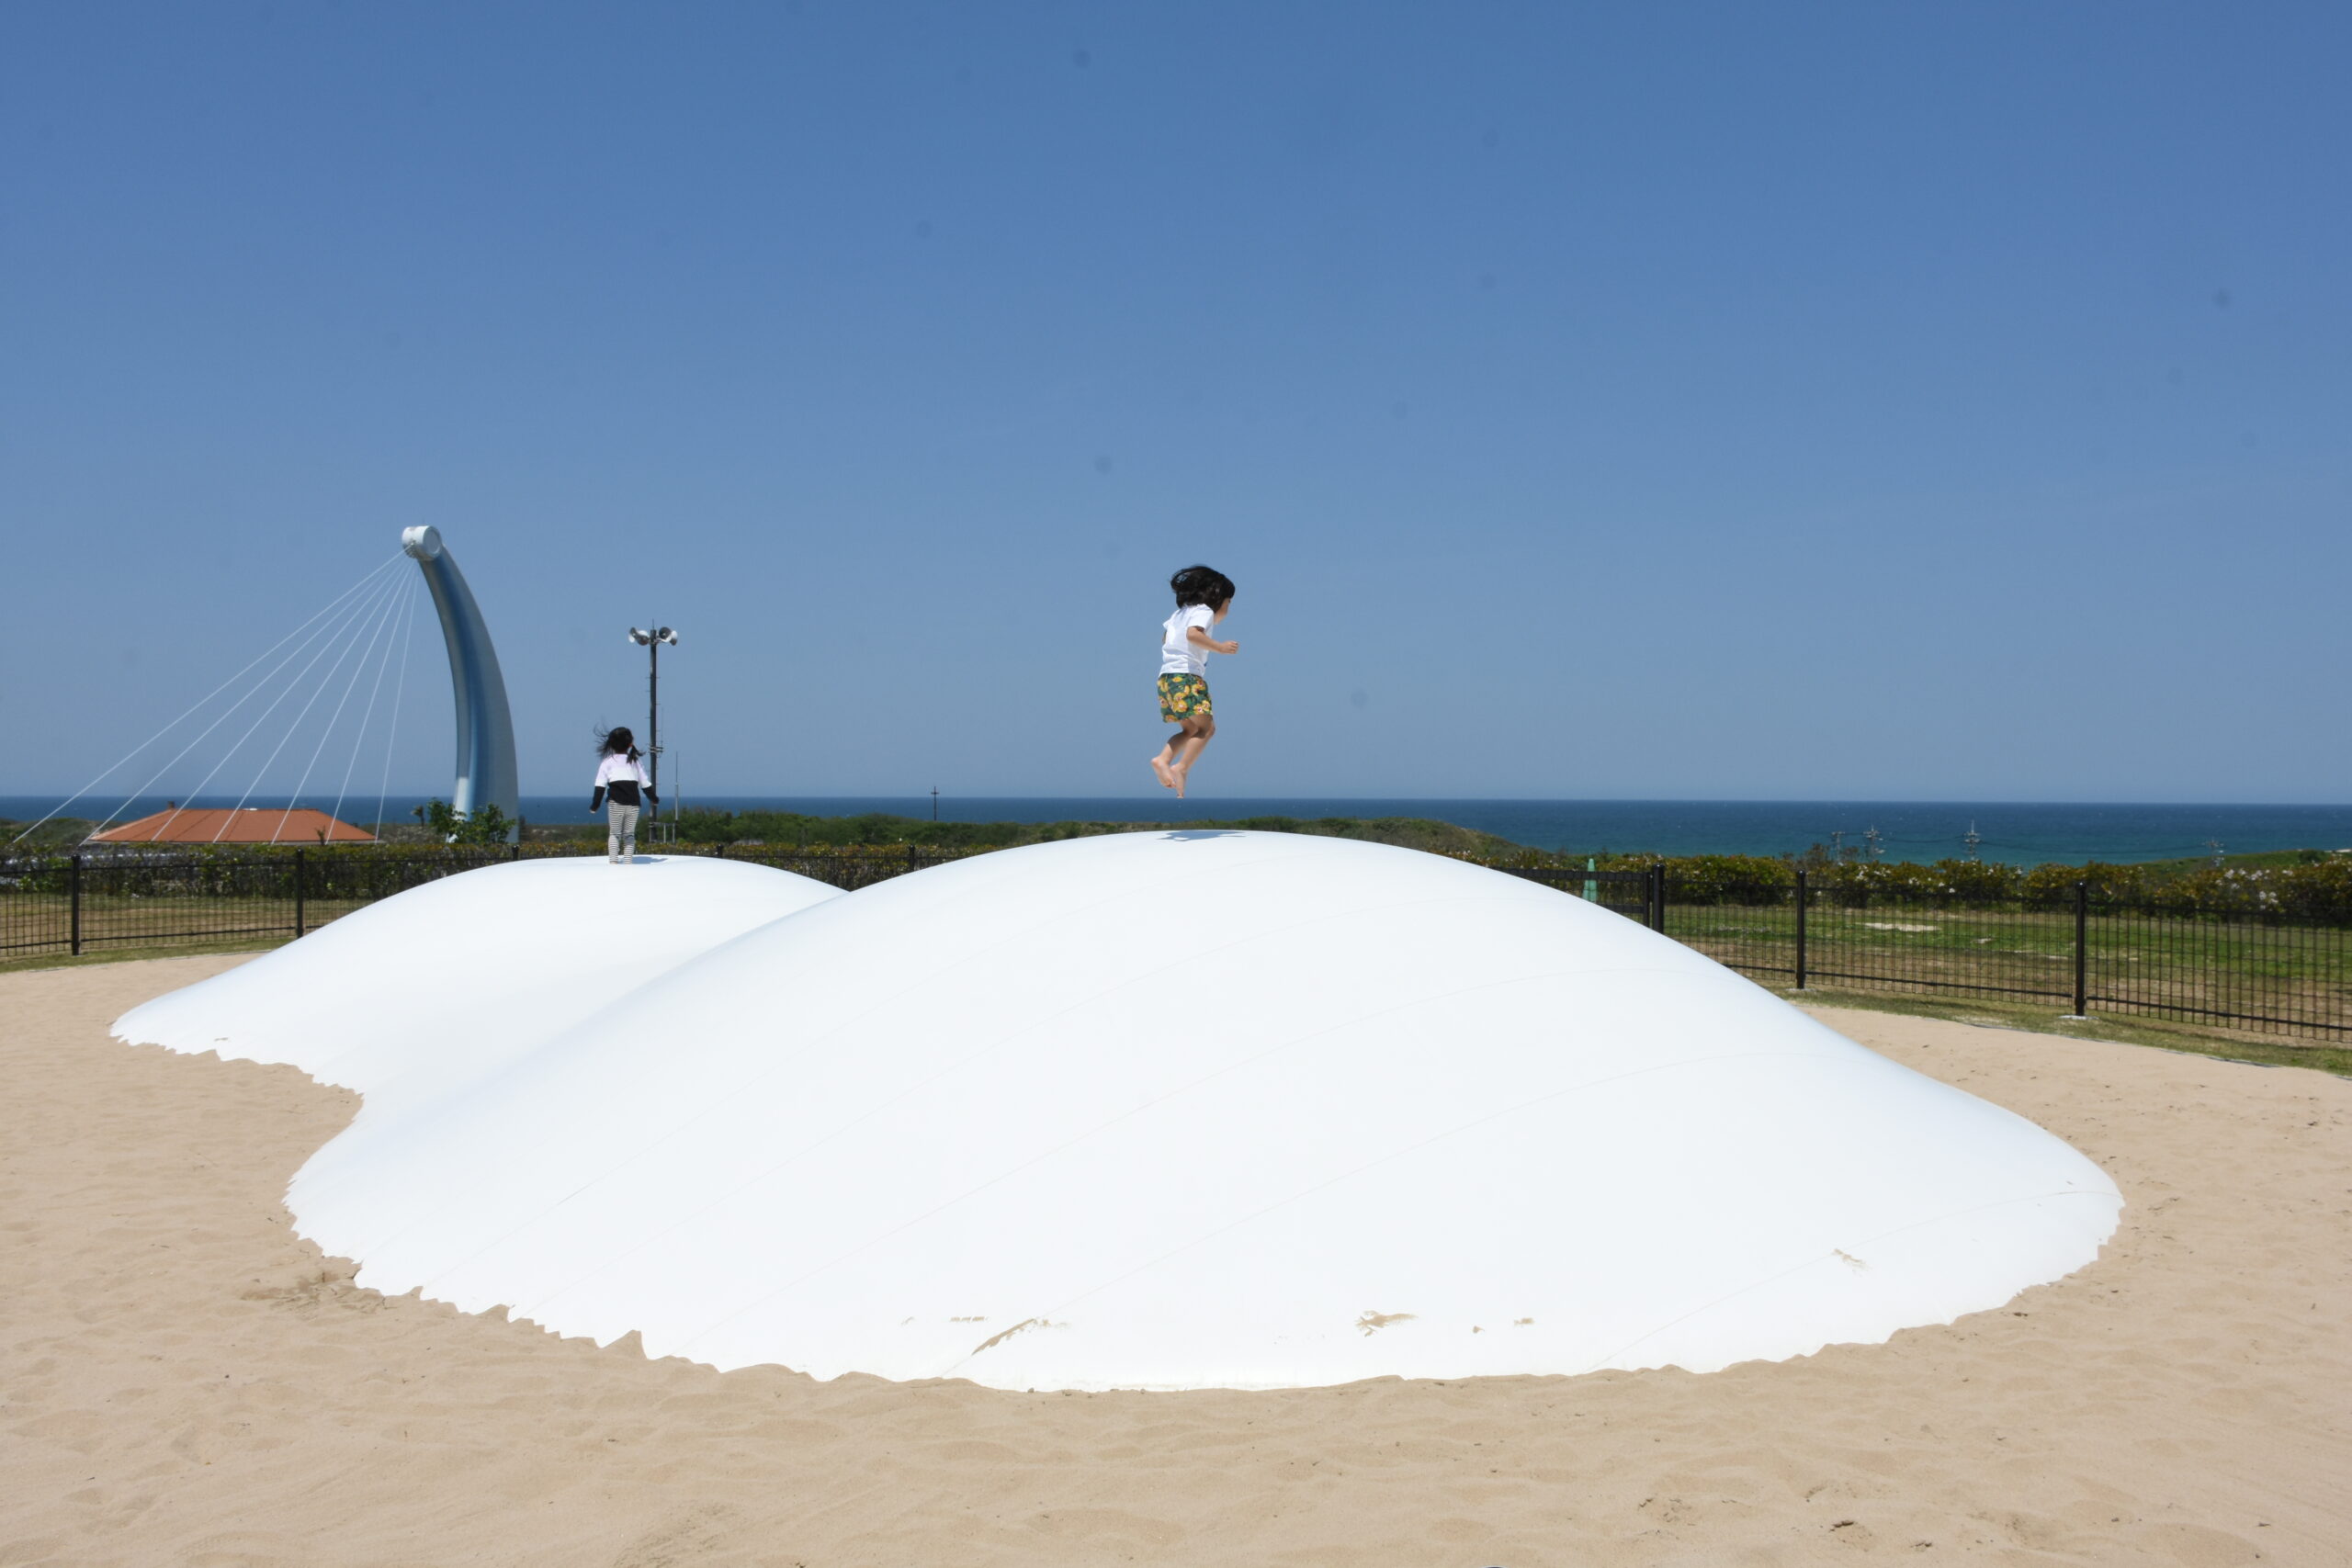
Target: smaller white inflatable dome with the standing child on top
[(425, 993)]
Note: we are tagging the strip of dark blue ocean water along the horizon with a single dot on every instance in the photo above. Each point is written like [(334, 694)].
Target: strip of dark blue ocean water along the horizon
[(2017, 833)]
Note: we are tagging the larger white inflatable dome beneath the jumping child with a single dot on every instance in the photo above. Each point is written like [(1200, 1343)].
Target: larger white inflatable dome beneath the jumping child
[(1210, 1111)]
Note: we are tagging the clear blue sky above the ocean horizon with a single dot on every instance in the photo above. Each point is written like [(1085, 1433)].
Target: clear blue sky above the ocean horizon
[(1688, 401)]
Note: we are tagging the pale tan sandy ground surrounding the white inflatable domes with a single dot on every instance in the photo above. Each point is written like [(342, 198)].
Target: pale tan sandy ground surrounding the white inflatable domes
[(182, 1381)]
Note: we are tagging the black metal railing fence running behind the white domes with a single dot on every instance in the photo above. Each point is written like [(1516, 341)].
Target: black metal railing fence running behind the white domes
[(2243, 972)]
